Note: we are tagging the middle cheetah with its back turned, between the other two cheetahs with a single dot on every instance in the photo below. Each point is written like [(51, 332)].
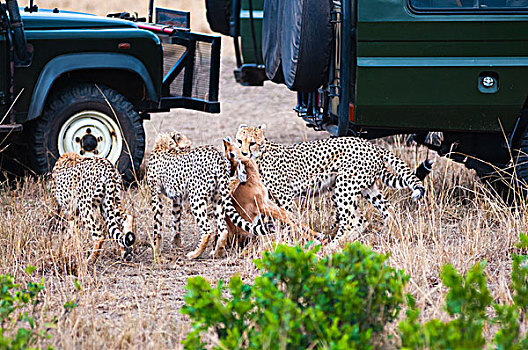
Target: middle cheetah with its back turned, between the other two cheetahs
[(198, 175)]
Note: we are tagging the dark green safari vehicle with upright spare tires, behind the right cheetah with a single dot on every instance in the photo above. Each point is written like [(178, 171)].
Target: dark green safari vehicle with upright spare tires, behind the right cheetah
[(452, 73)]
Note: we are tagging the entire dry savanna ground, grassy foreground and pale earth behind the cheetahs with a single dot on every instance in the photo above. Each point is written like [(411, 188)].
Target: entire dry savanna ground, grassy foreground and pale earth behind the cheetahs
[(136, 305)]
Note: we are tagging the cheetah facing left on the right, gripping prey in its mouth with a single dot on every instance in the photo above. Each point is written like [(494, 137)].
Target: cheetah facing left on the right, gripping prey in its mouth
[(346, 166)]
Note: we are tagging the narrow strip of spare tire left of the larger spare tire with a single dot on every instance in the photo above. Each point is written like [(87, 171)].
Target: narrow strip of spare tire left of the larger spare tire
[(271, 25)]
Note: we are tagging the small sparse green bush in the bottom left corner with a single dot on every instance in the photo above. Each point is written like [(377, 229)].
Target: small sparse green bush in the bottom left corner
[(20, 326)]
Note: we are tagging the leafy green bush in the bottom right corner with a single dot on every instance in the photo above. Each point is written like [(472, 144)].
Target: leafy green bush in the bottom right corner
[(468, 302)]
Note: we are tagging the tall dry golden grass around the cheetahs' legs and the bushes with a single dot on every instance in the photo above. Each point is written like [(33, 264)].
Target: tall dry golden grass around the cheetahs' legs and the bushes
[(135, 305)]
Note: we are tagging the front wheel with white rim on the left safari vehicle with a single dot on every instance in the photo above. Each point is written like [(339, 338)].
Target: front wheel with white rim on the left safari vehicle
[(92, 121)]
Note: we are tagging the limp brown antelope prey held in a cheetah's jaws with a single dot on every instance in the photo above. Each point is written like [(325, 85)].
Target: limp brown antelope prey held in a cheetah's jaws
[(251, 199)]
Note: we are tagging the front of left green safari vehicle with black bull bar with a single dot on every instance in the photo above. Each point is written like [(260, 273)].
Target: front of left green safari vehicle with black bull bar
[(82, 83)]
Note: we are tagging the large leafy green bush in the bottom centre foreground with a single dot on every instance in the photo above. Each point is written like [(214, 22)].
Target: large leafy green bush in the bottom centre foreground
[(341, 301)]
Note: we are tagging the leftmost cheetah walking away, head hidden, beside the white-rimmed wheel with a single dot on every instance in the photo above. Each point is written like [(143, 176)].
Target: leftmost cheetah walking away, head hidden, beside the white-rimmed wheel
[(87, 185)]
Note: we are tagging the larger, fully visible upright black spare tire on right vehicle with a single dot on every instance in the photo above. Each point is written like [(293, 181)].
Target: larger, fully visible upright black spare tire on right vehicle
[(306, 43)]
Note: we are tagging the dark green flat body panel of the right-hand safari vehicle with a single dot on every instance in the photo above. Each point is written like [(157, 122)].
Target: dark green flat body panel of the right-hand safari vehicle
[(421, 70)]
